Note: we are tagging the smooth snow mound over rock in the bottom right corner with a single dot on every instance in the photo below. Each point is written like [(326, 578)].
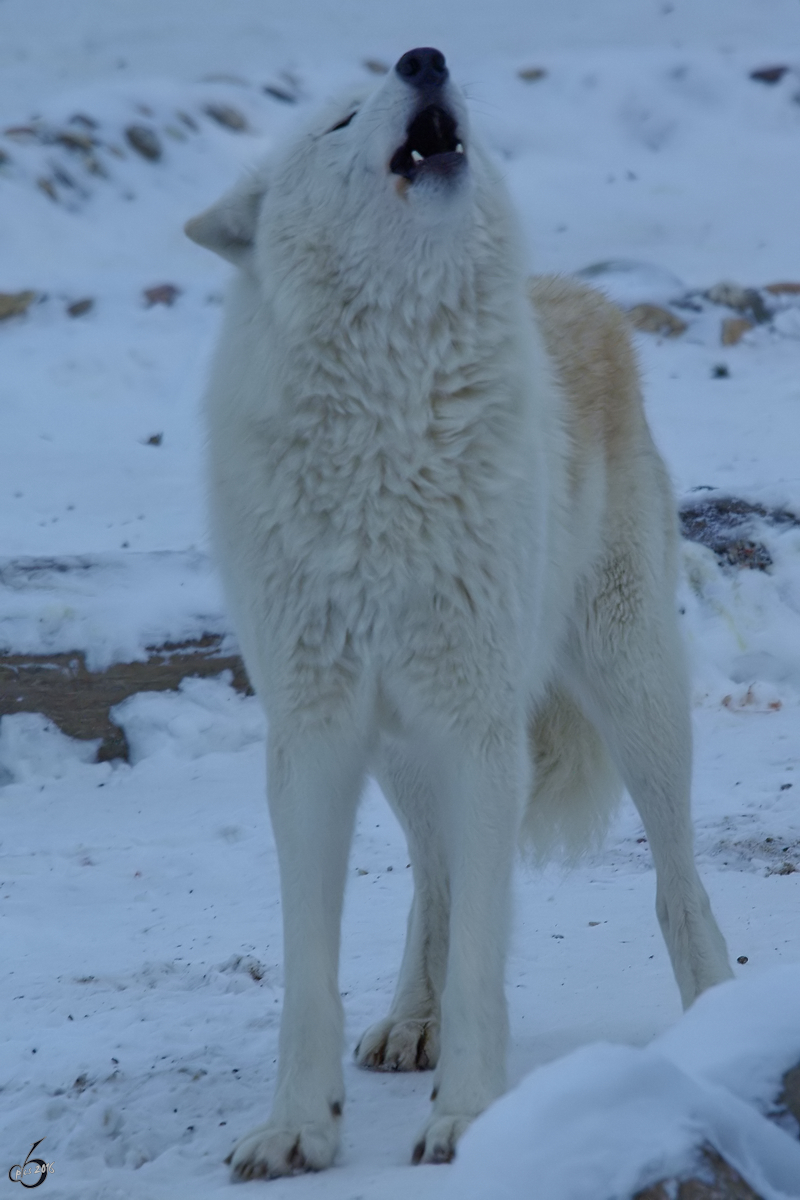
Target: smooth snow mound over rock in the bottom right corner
[(609, 1121)]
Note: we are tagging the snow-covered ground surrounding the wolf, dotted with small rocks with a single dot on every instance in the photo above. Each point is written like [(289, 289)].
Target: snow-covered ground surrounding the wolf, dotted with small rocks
[(141, 1058)]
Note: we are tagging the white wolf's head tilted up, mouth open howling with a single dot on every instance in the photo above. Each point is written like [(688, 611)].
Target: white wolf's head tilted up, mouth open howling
[(375, 182)]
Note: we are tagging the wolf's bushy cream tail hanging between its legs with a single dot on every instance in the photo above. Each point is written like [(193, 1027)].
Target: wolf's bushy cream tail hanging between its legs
[(576, 788)]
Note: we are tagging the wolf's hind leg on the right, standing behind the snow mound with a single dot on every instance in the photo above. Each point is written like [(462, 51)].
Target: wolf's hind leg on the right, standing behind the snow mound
[(631, 677)]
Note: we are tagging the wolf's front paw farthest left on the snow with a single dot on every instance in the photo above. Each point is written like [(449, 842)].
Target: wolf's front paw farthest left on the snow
[(269, 1151)]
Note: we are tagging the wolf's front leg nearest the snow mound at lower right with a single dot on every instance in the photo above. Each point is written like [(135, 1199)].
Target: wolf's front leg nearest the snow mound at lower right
[(483, 799)]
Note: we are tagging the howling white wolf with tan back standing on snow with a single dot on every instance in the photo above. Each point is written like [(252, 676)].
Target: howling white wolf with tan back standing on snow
[(449, 548)]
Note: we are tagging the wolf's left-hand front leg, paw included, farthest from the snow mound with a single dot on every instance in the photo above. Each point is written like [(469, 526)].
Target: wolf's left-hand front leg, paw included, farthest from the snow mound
[(314, 782)]
